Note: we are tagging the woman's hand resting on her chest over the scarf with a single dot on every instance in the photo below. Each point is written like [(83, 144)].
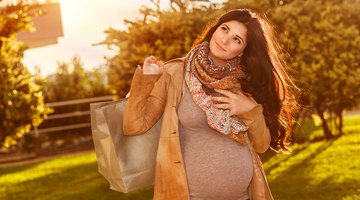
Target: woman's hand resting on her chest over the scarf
[(236, 103)]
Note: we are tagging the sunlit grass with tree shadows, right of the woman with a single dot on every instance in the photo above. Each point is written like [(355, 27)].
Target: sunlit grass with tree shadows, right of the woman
[(322, 170)]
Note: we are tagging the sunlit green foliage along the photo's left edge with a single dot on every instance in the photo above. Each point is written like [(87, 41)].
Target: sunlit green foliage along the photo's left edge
[(21, 98)]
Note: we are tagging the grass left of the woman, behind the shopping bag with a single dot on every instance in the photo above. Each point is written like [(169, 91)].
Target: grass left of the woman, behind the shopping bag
[(64, 178)]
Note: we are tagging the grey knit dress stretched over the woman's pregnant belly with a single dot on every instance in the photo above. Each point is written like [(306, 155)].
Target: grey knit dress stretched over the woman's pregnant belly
[(216, 167)]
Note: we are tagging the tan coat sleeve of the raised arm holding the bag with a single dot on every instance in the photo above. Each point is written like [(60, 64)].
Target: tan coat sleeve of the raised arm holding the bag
[(146, 102)]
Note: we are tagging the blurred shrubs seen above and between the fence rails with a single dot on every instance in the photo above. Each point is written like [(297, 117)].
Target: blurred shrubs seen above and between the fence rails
[(71, 81)]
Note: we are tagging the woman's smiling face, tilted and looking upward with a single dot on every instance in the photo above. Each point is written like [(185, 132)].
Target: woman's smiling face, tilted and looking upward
[(228, 41)]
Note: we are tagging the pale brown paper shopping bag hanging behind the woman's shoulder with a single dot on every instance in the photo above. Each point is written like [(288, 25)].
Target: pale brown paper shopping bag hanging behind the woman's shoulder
[(127, 162)]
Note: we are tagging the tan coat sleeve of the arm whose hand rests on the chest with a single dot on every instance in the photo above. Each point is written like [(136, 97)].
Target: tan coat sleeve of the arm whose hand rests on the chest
[(258, 131)]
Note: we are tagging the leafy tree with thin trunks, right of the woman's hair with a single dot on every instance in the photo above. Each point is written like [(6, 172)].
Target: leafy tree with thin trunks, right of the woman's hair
[(323, 40)]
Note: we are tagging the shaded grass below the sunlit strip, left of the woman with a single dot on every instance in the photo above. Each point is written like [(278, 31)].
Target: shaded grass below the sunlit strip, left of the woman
[(78, 182)]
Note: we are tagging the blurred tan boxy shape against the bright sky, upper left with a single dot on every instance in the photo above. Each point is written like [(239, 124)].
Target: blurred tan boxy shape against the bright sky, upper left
[(48, 27)]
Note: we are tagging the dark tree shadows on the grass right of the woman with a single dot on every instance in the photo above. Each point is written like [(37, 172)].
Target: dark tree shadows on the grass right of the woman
[(297, 181)]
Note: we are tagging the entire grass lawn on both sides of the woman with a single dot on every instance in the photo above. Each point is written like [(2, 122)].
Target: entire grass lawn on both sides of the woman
[(323, 170)]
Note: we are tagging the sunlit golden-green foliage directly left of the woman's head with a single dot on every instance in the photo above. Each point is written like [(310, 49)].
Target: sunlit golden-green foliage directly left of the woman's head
[(166, 35)]
